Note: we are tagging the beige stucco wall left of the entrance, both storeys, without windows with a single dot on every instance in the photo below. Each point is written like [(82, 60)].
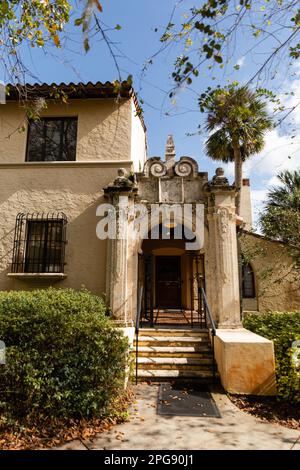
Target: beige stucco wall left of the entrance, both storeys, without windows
[(109, 136)]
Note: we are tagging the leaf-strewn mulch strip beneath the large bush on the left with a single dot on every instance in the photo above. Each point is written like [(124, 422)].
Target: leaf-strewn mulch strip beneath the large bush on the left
[(47, 432)]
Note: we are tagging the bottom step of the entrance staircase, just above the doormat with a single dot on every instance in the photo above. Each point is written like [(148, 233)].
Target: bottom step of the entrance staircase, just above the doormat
[(169, 374)]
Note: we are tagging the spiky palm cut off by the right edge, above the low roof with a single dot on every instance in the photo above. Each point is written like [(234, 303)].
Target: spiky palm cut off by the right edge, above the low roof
[(281, 216)]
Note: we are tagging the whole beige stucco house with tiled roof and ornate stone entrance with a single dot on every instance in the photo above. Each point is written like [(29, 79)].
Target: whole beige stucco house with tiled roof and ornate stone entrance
[(68, 179)]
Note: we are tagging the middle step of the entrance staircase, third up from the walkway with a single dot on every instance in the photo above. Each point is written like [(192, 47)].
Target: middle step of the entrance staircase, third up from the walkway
[(196, 351)]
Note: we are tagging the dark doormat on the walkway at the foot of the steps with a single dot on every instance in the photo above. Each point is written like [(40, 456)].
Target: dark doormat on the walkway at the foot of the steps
[(177, 399)]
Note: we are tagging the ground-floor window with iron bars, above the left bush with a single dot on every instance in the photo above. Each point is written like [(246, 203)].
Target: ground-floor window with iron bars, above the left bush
[(39, 245)]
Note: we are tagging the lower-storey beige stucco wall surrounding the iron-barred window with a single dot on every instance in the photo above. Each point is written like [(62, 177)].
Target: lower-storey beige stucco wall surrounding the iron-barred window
[(77, 191)]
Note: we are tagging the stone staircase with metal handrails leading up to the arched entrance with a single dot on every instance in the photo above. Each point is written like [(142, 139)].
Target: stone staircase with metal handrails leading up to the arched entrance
[(170, 353)]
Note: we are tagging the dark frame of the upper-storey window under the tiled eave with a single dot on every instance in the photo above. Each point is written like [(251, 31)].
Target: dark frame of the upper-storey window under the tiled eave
[(44, 119)]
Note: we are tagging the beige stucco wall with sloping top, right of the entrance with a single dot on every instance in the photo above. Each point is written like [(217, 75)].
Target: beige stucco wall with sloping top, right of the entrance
[(277, 283)]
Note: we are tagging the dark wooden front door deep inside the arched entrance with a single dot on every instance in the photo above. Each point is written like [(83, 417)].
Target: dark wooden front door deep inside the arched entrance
[(168, 281)]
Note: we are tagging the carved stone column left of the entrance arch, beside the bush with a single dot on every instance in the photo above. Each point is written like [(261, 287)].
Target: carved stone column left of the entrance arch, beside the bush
[(120, 195)]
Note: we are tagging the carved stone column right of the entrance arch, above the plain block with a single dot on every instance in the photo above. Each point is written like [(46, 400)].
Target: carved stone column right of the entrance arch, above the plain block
[(222, 278)]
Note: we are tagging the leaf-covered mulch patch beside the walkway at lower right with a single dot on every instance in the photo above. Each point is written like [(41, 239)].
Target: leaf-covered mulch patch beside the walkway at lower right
[(269, 409)]
